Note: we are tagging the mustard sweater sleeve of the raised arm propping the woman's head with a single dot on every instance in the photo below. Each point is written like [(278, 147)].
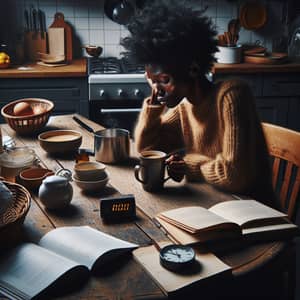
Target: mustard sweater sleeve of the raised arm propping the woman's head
[(158, 129)]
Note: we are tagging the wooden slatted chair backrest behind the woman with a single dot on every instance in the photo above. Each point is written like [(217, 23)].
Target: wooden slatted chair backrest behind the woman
[(284, 148)]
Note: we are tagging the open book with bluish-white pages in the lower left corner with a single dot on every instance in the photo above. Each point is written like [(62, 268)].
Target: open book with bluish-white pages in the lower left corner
[(62, 254)]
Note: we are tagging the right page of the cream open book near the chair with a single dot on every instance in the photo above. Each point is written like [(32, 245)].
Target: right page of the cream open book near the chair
[(248, 213)]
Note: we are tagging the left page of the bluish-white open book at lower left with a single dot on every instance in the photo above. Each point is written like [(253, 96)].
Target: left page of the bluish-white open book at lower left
[(29, 269)]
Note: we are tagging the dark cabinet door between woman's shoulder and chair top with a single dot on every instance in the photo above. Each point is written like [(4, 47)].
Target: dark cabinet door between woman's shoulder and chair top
[(273, 110)]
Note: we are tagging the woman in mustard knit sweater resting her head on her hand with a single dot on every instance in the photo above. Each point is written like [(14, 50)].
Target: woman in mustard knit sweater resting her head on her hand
[(216, 124)]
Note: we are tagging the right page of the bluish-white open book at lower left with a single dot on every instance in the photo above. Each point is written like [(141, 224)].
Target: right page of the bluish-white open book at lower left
[(84, 244)]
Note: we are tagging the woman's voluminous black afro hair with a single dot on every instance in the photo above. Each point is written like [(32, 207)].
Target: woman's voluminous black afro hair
[(171, 33)]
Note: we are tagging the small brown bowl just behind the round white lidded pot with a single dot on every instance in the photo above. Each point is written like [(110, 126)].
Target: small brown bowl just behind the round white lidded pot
[(32, 178)]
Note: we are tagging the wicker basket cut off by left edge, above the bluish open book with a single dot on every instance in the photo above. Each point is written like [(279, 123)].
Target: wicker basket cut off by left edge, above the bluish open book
[(13, 218)]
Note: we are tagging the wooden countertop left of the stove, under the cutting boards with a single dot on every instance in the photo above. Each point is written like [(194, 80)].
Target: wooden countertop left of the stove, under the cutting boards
[(77, 68)]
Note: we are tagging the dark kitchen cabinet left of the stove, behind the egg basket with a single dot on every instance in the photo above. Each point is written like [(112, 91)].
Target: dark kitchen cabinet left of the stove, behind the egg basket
[(70, 95)]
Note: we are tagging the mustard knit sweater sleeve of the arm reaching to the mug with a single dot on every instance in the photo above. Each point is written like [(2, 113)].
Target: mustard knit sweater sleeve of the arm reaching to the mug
[(231, 168)]
